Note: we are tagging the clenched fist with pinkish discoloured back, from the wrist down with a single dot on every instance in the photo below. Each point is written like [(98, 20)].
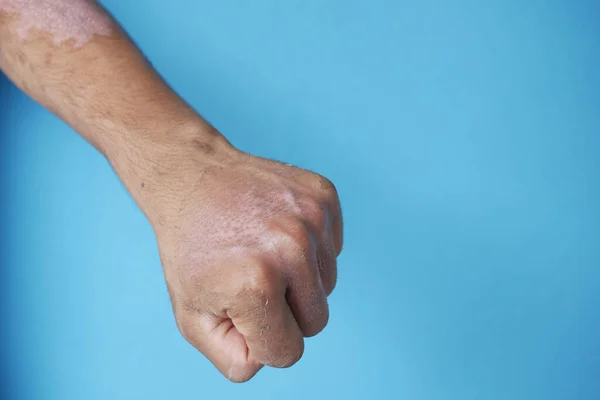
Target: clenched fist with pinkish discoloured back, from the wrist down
[(249, 251)]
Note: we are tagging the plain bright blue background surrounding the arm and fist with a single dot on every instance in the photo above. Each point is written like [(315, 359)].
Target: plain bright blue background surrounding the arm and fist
[(464, 138)]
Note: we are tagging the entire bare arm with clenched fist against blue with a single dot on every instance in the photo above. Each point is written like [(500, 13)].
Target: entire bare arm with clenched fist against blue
[(248, 245)]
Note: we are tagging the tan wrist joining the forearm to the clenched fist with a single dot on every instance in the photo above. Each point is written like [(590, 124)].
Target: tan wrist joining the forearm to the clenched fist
[(157, 167)]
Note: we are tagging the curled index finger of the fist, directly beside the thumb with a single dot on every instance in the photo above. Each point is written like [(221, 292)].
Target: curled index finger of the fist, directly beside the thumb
[(262, 316)]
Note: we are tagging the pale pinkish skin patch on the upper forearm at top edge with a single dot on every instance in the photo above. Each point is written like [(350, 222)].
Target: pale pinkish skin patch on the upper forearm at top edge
[(64, 20)]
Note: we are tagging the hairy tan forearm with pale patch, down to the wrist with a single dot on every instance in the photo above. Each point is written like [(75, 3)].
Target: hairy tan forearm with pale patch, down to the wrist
[(73, 58)]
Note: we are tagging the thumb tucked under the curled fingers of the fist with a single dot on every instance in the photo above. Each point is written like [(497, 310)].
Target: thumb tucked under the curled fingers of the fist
[(218, 339)]
